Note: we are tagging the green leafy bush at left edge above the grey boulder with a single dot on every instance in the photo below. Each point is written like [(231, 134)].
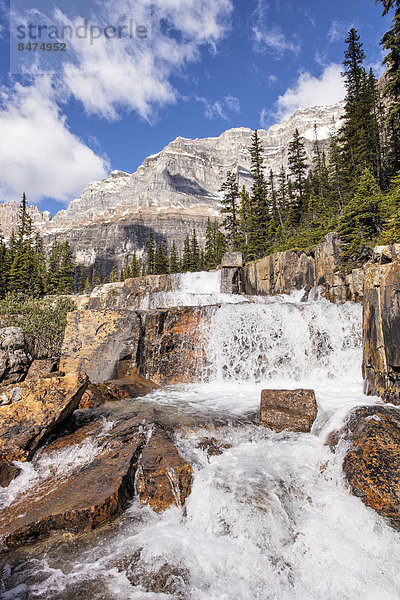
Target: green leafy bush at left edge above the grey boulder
[(42, 320)]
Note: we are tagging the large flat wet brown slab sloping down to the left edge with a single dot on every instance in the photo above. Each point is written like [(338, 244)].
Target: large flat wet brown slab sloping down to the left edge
[(89, 497)]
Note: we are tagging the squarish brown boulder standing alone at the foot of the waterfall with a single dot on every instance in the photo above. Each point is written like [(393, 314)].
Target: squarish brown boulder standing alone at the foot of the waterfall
[(293, 410)]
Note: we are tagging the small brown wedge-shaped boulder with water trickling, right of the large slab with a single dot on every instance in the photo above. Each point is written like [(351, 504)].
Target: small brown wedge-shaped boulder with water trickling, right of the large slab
[(164, 476)]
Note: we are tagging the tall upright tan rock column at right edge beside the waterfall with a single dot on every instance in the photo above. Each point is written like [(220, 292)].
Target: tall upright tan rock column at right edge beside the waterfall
[(381, 330)]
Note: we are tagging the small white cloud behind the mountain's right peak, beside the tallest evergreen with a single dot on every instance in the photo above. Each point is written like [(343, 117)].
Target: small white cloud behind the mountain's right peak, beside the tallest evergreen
[(311, 91)]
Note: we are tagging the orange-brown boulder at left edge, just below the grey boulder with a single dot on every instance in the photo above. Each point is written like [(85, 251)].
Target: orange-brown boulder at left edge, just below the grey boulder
[(31, 411)]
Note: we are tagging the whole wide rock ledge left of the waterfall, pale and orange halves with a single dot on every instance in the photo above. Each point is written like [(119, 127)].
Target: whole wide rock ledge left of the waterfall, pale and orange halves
[(165, 346)]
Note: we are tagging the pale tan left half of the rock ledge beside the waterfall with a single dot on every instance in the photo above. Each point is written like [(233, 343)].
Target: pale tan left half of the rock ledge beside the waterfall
[(96, 340)]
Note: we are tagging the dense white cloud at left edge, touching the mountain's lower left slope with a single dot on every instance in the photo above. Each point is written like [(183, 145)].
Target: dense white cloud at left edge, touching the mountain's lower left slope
[(39, 155)]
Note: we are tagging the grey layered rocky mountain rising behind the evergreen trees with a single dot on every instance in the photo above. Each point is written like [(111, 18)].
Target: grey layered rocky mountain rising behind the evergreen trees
[(172, 192)]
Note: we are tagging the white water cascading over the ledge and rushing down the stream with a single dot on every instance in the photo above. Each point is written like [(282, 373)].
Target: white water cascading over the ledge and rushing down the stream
[(269, 519)]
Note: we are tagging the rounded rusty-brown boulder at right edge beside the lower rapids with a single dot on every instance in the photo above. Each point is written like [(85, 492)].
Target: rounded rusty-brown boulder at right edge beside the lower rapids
[(372, 463)]
